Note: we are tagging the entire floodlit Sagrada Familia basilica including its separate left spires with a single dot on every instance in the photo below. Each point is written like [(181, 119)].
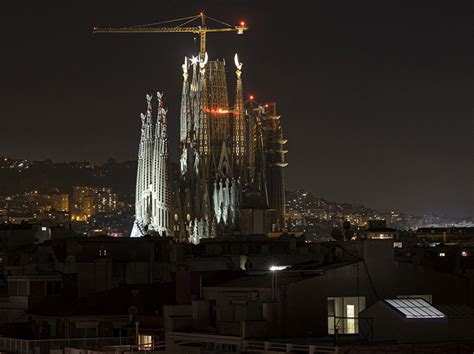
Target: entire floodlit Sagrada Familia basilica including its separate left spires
[(230, 178)]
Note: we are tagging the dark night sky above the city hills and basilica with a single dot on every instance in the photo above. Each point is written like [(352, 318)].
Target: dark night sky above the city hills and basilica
[(376, 96)]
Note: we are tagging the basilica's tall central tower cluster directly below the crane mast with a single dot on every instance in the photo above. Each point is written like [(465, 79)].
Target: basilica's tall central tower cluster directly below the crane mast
[(208, 189)]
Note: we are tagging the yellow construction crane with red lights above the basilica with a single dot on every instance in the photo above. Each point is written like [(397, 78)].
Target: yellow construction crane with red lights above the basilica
[(202, 29)]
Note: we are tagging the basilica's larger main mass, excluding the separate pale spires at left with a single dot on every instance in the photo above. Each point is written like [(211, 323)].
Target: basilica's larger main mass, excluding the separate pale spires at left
[(228, 155)]
